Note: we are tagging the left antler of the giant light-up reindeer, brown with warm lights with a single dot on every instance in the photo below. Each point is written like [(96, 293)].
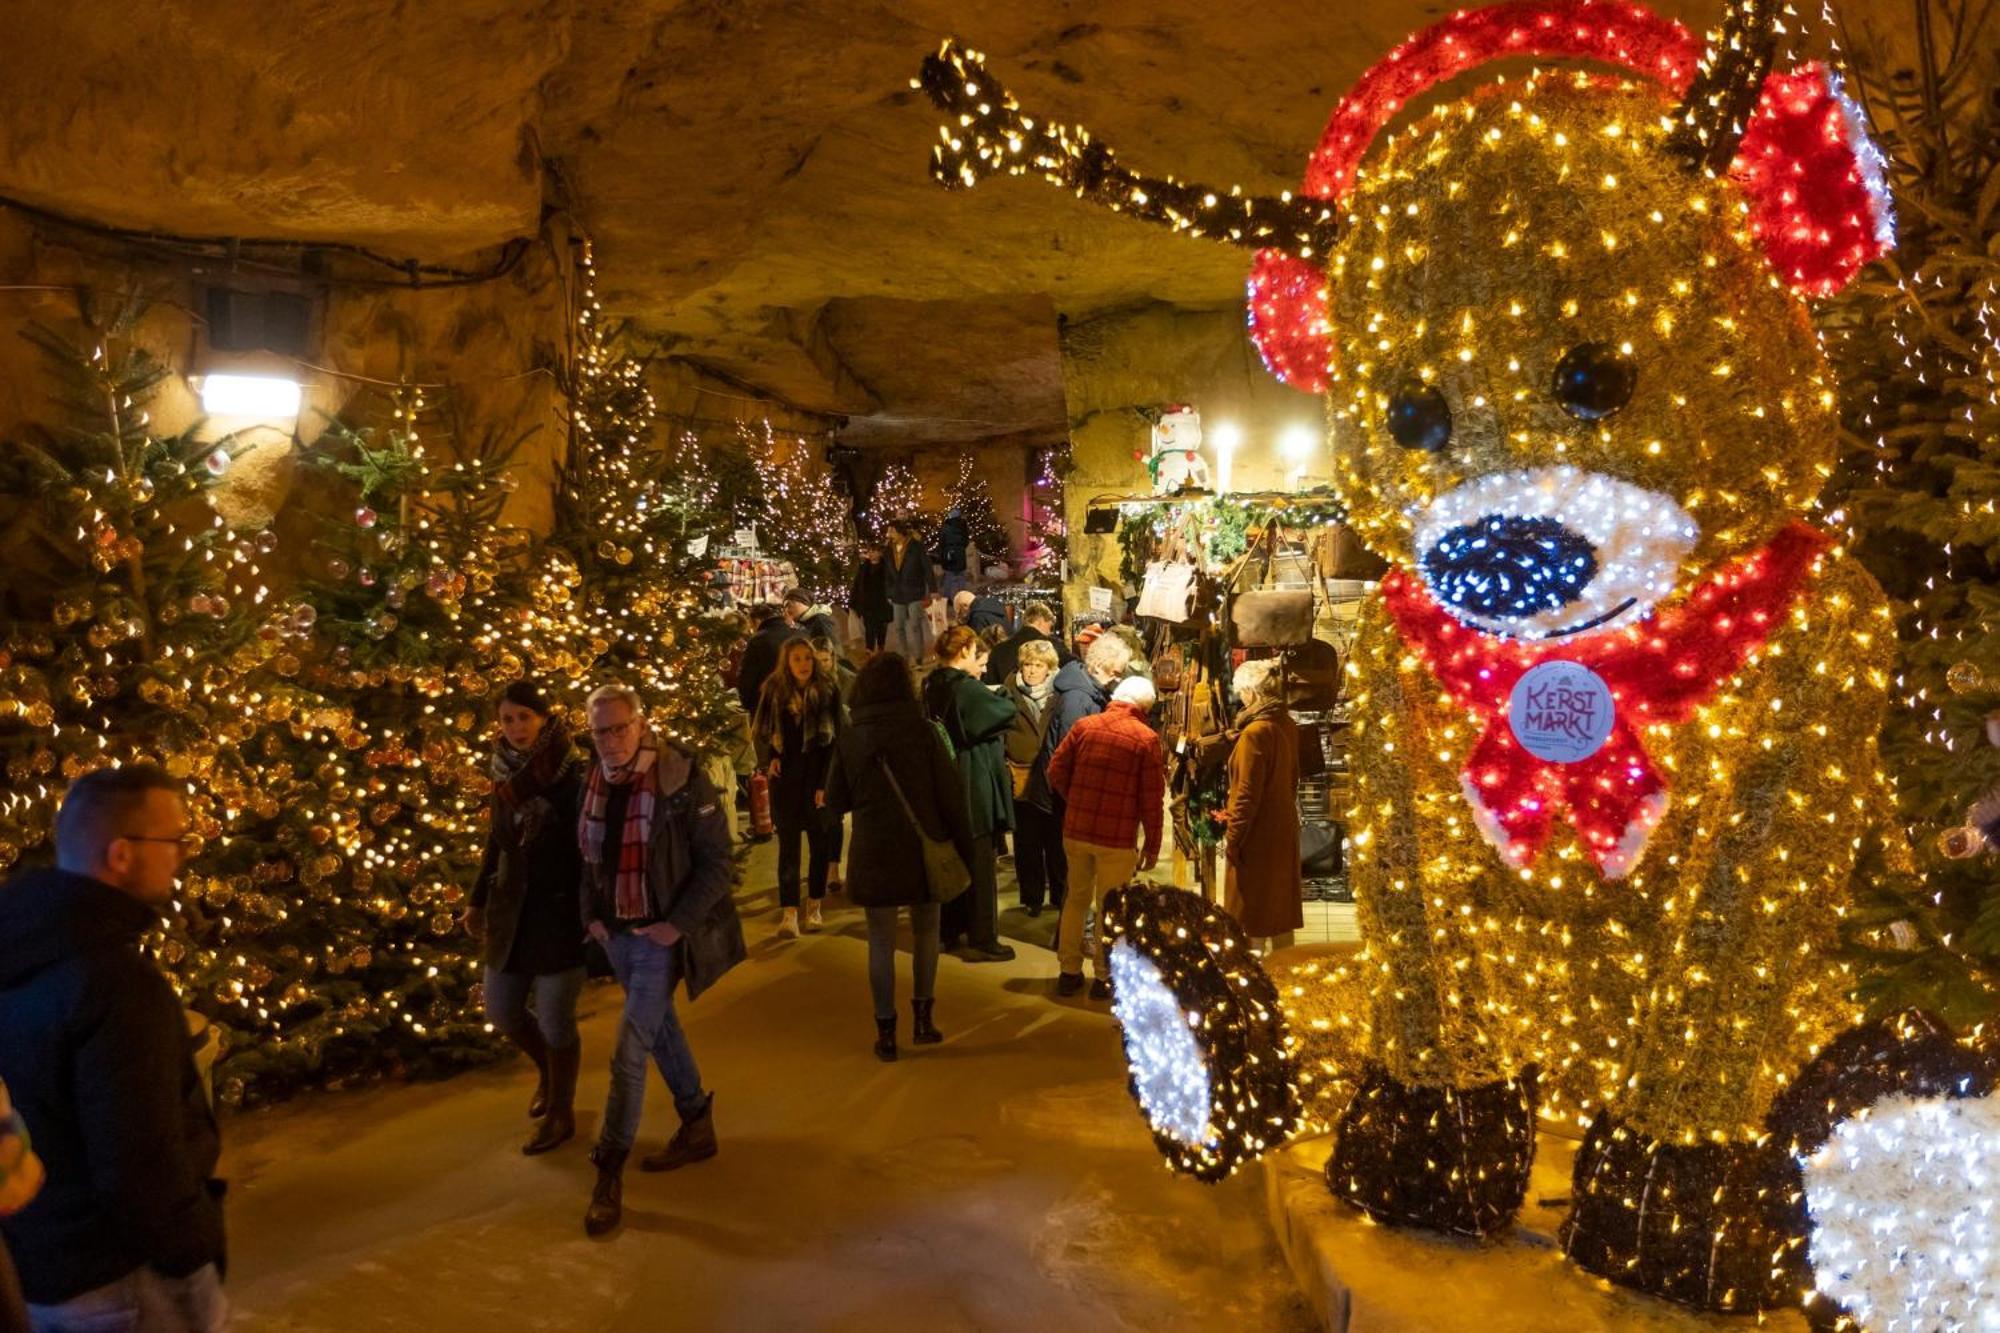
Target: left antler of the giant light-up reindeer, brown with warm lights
[(989, 135)]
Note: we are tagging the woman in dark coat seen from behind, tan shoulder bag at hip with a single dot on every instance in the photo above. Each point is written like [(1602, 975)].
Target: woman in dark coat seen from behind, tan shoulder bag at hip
[(891, 736)]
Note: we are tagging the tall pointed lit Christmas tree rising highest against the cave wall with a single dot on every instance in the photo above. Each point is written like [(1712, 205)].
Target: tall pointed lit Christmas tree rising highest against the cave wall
[(631, 523)]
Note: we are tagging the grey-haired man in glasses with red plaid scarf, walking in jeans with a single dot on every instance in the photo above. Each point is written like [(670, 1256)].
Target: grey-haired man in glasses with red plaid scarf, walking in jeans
[(657, 896)]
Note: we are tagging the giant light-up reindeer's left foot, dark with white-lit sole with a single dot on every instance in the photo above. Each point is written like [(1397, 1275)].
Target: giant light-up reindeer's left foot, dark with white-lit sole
[(1205, 1038)]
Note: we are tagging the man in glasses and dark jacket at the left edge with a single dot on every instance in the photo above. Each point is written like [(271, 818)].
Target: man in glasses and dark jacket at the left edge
[(95, 1054)]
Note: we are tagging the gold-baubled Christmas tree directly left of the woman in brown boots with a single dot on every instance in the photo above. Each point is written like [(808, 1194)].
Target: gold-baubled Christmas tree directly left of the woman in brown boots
[(419, 609)]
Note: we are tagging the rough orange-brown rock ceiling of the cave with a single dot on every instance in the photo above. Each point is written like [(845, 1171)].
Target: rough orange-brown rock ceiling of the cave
[(753, 171)]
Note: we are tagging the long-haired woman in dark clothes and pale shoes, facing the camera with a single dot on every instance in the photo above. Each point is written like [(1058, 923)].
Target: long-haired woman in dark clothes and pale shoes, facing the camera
[(797, 722)]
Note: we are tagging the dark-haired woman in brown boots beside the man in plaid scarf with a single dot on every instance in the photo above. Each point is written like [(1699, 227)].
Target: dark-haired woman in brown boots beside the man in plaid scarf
[(525, 904)]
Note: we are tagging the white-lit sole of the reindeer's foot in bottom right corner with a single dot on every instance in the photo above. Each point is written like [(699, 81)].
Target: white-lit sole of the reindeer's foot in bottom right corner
[(1903, 1216)]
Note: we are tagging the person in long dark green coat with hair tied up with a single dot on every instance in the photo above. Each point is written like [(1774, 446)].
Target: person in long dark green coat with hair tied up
[(975, 722)]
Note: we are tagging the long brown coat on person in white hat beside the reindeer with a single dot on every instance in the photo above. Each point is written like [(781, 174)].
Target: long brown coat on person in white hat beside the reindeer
[(1265, 890)]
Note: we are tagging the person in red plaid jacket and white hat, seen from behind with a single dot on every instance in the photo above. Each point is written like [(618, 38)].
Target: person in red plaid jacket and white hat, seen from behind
[(1111, 776)]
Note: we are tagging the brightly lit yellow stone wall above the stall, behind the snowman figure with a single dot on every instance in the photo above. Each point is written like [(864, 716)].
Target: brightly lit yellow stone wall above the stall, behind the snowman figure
[(1147, 357)]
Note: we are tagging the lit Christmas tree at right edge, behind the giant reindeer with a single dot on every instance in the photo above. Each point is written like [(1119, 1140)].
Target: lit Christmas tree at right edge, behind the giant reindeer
[(1917, 343)]
